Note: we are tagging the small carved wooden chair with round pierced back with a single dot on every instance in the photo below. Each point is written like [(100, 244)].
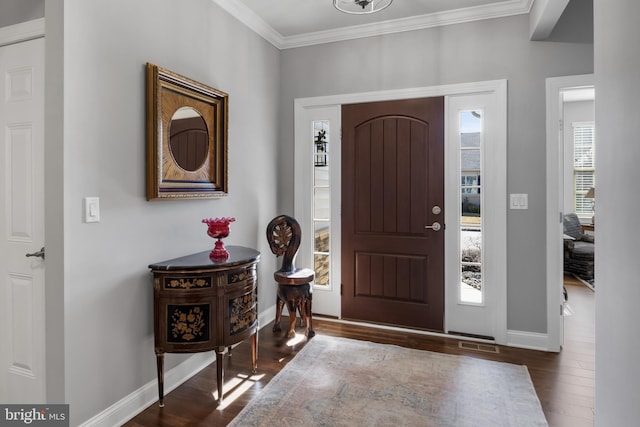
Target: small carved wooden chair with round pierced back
[(294, 284)]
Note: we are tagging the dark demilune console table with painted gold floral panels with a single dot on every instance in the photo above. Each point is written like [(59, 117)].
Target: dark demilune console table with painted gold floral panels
[(202, 305)]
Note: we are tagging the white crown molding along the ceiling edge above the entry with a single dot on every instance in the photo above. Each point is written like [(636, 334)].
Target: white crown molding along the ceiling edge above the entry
[(450, 17)]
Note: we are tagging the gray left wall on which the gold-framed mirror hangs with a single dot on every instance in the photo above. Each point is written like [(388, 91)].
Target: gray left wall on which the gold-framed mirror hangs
[(99, 150)]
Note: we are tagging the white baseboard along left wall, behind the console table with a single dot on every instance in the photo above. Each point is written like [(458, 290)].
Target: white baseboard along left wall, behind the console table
[(131, 405)]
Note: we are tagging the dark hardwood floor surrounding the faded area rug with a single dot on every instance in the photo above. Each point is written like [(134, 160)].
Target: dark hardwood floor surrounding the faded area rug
[(564, 381)]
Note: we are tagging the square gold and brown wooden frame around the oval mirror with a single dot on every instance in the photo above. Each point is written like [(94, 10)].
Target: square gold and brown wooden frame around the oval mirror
[(166, 180)]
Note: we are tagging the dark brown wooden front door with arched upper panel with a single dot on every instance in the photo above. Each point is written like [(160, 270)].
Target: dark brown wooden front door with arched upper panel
[(392, 188)]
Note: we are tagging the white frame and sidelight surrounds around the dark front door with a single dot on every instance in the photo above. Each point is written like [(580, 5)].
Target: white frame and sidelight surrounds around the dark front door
[(490, 97)]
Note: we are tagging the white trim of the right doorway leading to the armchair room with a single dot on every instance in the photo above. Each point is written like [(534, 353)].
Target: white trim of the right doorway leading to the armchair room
[(554, 88)]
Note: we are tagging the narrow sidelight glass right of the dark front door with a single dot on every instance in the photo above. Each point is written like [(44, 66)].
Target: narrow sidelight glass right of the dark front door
[(471, 286)]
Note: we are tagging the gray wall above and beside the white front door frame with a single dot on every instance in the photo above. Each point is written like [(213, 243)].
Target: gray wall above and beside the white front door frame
[(486, 50)]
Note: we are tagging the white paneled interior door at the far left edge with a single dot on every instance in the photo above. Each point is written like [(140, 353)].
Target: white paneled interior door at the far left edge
[(22, 317)]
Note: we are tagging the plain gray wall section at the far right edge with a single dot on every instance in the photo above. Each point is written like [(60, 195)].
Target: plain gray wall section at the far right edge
[(617, 60)]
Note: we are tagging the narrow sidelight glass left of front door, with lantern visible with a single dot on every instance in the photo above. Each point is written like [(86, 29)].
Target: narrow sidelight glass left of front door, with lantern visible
[(321, 201)]
